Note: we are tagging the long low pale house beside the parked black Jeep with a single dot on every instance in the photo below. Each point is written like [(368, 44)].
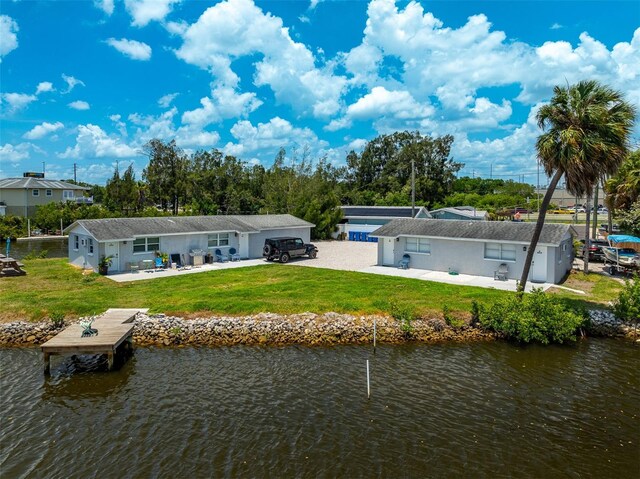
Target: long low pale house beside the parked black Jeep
[(133, 241)]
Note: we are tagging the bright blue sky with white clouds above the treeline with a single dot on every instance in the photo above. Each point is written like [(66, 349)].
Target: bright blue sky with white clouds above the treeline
[(90, 82)]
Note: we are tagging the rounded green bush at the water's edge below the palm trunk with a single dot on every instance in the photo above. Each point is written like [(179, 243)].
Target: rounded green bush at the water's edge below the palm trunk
[(535, 317)]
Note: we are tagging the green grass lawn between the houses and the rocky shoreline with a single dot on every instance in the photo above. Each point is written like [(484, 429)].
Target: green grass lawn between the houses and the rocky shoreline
[(52, 285)]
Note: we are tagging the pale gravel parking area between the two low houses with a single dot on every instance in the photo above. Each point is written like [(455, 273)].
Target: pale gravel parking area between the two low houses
[(342, 255)]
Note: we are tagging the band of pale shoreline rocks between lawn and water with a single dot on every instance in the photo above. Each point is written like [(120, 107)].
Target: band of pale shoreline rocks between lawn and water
[(304, 329)]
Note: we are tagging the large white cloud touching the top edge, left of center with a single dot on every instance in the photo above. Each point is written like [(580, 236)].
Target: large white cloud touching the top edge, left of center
[(238, 28)]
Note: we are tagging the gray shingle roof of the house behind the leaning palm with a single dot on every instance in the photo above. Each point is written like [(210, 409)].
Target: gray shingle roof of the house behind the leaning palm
[(552, 234)]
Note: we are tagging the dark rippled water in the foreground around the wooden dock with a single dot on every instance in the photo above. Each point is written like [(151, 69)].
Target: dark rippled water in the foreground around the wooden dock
[(484, 410)]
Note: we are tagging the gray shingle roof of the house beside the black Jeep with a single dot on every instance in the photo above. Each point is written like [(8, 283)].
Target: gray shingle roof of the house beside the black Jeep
[(129, 228)]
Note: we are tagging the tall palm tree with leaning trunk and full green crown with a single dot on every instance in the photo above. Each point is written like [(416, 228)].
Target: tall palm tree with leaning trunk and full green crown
[(587, 128)]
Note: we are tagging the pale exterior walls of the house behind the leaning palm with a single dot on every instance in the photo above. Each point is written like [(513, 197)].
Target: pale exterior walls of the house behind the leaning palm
[(467, 257)]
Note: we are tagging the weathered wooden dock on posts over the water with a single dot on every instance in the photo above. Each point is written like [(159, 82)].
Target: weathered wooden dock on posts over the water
[(115, 328)]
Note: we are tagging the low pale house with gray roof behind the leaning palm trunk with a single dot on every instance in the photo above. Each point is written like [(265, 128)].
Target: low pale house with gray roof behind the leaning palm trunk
[(478, 248)]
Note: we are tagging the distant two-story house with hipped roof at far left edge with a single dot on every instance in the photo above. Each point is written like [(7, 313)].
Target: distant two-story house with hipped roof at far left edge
[(21, 196)]
